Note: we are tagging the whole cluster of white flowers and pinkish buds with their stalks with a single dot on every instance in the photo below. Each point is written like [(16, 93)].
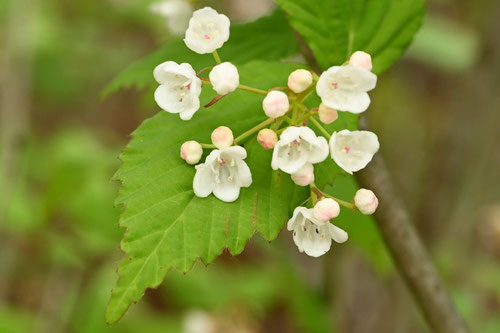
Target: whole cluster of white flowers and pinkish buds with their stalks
[(296, 147)]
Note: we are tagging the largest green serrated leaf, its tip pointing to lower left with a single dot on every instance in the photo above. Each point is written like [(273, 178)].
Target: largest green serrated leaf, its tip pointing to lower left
[(167, 225)]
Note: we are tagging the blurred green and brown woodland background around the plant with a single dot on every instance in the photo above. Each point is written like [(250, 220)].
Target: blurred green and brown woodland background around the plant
[(436, 113)]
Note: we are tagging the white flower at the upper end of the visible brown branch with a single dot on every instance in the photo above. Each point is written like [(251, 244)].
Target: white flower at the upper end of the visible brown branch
[(352, 151)]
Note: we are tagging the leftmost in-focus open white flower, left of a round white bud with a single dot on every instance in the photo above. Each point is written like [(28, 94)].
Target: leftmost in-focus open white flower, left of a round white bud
[(179, 90)]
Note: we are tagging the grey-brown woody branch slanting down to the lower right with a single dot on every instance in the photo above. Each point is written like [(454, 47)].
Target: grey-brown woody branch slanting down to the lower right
[(408, 252)]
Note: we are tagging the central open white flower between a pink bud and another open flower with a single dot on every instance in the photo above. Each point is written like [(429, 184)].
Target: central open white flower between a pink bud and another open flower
[(296, 147)]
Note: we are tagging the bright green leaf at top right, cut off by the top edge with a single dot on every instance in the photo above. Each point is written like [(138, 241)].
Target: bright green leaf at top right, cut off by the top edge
[(334, 29)]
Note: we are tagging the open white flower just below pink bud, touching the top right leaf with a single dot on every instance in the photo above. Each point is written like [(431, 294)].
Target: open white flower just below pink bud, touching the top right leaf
[(344, 88)]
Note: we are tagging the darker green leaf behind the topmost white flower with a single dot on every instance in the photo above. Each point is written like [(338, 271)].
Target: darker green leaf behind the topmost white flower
[(268, 38)]
